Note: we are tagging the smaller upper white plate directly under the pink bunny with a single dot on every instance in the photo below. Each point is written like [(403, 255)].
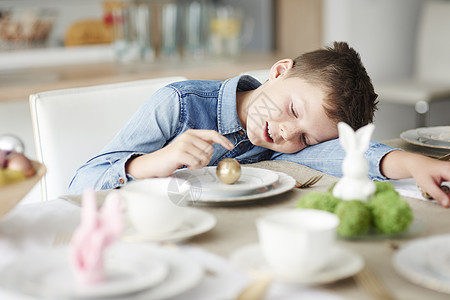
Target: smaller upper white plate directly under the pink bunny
[(47, 273)]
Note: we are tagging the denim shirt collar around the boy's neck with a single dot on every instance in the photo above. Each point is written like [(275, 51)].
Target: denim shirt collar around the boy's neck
[(227, 117)]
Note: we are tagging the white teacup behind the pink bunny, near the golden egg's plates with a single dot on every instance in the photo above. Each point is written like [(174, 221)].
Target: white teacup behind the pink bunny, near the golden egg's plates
[(150, 204)]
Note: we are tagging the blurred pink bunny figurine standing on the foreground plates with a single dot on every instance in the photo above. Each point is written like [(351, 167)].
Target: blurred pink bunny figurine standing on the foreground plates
[(98, 229)]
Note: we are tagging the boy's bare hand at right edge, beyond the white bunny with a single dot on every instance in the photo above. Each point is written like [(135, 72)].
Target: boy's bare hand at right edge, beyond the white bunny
[(428, 173)]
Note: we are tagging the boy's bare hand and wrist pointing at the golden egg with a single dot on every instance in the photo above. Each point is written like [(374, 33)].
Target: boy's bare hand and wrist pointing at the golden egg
[(192, 148)]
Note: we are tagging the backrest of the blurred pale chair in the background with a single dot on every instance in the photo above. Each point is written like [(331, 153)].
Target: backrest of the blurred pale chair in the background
[(433, 42)]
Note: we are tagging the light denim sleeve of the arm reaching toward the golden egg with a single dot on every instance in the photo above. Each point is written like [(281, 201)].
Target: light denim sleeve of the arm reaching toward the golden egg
[(148, 130)]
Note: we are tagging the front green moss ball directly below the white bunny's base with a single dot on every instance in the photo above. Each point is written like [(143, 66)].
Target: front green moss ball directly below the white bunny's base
[(355, 218)]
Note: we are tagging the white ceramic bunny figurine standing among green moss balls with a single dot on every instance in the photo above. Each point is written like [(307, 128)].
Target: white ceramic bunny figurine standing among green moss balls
[(355, 184)]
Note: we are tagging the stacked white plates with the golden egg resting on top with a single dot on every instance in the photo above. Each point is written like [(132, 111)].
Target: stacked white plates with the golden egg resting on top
[(254, 183)]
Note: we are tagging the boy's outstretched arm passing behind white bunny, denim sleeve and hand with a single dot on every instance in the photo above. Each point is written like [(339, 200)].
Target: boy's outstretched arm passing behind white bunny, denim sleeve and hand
[(385, 163)]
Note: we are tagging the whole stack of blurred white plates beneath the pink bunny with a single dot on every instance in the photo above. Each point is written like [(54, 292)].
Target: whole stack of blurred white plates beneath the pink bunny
[(133, 271)]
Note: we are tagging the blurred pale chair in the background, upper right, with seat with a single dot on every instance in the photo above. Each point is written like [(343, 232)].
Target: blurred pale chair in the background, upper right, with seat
[(431, 80)]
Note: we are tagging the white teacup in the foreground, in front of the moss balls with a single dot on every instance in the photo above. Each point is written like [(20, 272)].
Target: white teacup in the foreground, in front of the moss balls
[(297, 242)]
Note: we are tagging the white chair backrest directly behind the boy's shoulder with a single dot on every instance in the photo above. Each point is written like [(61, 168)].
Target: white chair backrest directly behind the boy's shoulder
[(72, 125)]
